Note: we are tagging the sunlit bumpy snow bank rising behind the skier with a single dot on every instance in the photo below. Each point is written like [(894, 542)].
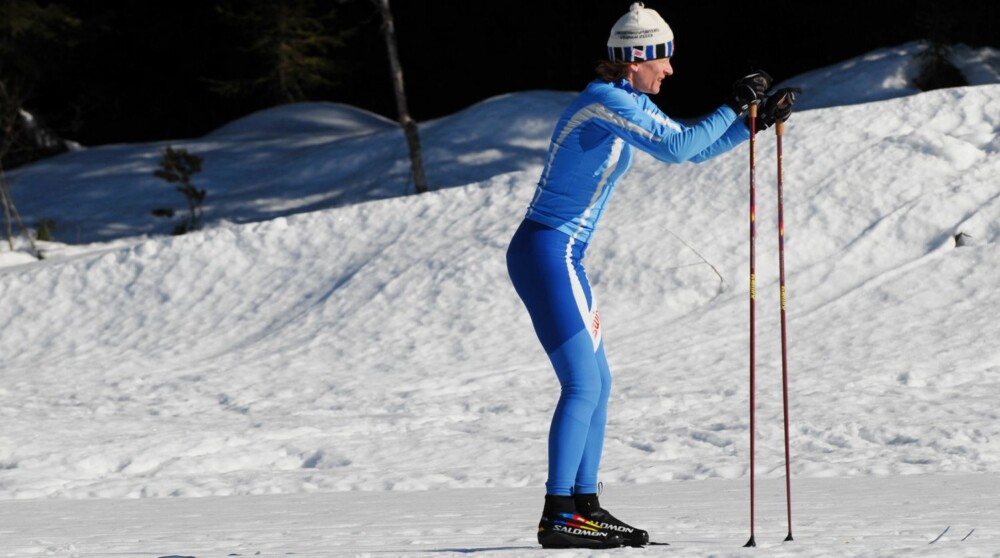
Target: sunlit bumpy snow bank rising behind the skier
[(379, 346)]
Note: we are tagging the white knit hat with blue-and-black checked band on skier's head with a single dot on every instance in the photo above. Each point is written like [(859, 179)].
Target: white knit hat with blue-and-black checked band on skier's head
[(641, 34)]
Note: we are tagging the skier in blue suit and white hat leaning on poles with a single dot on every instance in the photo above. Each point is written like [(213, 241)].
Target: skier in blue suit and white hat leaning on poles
[(591, 149)]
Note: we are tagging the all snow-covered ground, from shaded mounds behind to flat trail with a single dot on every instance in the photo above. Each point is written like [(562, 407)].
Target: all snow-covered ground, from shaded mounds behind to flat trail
[(332, 368)]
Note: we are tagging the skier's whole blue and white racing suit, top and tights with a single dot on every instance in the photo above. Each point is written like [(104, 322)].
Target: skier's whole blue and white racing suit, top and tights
[(591, 149)]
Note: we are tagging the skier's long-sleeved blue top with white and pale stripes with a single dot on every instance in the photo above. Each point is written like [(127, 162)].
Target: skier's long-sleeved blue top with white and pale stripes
[(591, 149)]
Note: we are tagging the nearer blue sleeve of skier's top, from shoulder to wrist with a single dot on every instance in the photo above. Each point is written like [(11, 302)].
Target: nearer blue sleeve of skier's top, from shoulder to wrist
[(643, 125)]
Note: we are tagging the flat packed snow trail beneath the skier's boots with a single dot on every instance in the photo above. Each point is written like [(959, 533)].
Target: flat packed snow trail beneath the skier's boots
[(836, 518)]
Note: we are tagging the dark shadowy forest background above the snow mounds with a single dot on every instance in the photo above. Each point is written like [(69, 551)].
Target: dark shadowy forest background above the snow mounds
[(144, 70)]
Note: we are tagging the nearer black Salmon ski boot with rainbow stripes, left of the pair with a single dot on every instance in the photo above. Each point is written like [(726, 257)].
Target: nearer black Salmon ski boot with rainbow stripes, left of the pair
[(562, 527)]
